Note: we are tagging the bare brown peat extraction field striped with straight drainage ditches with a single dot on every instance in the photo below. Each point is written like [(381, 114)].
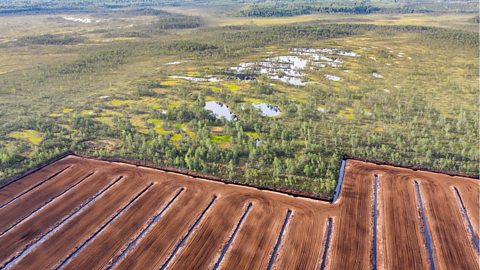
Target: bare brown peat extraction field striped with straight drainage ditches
[(80, 213)]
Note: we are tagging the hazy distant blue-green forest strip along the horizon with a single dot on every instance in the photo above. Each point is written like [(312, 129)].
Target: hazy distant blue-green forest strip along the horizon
[(243, 8)]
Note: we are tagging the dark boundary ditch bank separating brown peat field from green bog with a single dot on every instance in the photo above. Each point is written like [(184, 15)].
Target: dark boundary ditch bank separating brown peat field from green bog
[(197, 175)]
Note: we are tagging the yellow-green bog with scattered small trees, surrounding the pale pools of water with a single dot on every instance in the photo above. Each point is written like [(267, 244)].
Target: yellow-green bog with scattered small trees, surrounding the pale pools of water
[(135, 85)]
